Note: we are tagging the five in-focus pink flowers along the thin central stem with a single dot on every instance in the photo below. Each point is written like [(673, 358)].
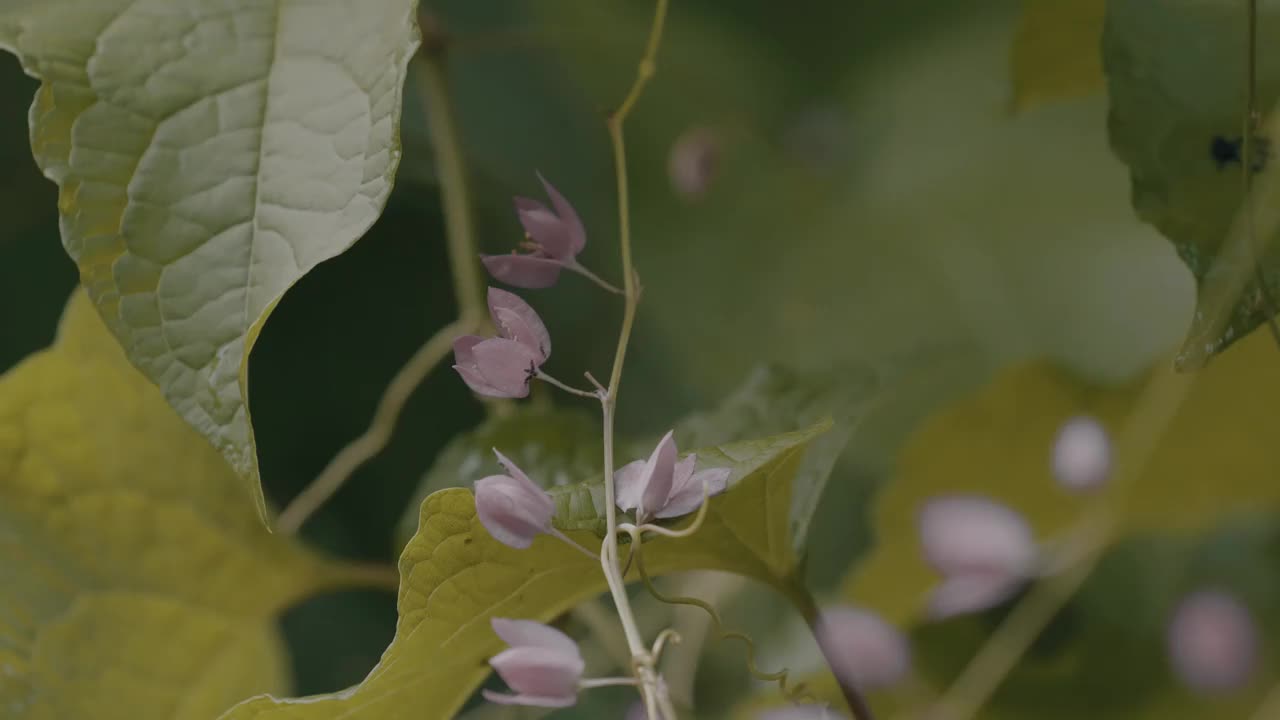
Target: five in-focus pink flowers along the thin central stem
[(543, 666)]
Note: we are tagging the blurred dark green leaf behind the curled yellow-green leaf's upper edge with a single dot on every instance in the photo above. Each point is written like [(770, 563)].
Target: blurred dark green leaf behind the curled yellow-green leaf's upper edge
[(555, 446)]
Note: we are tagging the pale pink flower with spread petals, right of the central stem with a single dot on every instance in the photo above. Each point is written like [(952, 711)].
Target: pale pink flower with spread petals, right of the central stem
[(662, 487)]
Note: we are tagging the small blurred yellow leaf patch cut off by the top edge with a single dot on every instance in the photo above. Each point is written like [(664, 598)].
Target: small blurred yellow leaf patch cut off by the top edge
[(1057, 52)]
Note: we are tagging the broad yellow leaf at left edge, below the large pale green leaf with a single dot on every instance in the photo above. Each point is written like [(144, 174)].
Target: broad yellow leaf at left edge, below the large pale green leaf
[(139, 582)]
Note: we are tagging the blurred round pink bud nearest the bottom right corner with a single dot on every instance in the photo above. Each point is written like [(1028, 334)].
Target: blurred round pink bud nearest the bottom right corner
[(1213, 642)]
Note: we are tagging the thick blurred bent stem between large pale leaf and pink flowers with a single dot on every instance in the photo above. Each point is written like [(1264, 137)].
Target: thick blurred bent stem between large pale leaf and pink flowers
[(468, 285)]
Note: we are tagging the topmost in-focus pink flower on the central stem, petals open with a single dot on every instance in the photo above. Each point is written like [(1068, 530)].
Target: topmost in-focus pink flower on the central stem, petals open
[(556, 239)]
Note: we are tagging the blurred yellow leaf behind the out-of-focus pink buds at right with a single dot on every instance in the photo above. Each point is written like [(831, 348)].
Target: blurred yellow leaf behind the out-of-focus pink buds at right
[(1219, 458)]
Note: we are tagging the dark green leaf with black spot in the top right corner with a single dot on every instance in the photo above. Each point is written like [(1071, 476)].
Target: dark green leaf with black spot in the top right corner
[(1178, 83)]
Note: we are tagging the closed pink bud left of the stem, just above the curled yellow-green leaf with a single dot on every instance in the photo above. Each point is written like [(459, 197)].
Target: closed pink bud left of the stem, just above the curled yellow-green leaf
[(513, 508)]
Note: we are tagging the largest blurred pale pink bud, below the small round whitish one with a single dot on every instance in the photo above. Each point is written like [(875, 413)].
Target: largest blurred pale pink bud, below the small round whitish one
[(984, 550)]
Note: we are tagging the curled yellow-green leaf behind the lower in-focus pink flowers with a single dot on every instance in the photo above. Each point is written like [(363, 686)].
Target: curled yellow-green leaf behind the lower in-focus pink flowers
[(455, 577)]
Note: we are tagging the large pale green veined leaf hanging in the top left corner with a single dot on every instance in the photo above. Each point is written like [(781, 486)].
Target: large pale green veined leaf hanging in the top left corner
[(196, 190)]
